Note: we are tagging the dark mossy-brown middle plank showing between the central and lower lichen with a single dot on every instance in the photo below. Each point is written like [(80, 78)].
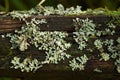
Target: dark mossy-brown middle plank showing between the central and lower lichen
[(7, 54)]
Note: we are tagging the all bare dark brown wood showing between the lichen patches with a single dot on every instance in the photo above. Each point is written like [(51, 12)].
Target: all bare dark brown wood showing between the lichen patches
[(60, 71)]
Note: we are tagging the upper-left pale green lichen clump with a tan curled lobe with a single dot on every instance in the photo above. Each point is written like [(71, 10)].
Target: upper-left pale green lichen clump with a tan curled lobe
[(28, 31)]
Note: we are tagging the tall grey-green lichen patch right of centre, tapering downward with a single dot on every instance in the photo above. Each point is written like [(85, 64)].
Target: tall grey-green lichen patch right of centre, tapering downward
[(85, 28)]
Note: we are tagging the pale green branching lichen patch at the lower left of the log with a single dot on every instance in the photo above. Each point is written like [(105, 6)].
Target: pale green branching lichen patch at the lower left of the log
[(27, 64)]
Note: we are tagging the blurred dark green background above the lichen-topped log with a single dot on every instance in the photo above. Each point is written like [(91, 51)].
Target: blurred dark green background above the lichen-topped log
[(10, 5)]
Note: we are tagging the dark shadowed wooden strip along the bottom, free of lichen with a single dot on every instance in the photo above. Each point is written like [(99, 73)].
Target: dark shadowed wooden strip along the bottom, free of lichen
[(60, 75)]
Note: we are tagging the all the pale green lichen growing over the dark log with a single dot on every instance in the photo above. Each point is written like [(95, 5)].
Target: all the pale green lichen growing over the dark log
[(54, 45)]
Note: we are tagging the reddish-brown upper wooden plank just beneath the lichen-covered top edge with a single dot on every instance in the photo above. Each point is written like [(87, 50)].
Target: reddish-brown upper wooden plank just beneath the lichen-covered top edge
[(58, 23)]
